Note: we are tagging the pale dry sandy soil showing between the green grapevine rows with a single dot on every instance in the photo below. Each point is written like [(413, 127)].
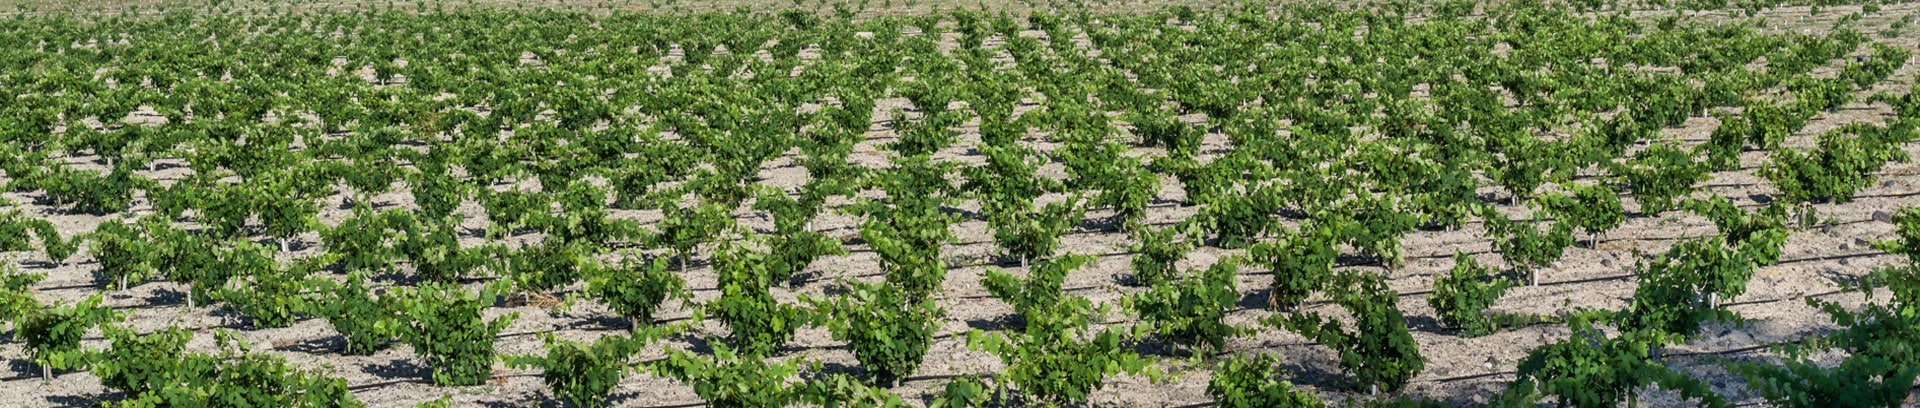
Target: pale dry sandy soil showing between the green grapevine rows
[(1460, 371)]
